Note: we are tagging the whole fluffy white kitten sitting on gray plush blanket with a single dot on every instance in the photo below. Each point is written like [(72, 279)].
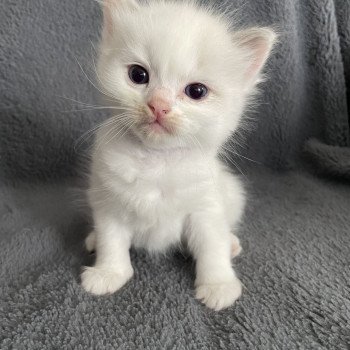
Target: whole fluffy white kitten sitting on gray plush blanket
[(179, 78)]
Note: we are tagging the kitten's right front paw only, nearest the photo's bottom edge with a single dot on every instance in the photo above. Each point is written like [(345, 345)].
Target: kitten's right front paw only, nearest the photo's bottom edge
[(221, 295)]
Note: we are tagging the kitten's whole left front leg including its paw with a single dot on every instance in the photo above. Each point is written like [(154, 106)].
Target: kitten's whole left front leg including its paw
[(112, 268)]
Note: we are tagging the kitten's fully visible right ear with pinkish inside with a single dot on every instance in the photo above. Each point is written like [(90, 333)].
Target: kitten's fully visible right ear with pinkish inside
[(257, 43)]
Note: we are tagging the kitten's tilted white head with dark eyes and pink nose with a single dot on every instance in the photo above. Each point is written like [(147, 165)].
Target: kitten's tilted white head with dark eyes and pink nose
[(178, 72)]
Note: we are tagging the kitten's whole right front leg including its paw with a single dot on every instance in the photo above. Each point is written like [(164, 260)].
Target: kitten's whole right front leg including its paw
[(210, 240)]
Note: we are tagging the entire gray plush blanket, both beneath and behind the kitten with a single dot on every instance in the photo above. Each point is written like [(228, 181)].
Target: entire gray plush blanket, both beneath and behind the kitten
[(295, 236)]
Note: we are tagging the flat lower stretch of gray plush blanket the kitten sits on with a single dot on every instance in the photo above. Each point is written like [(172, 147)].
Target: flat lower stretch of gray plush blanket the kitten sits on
[(294, 267)]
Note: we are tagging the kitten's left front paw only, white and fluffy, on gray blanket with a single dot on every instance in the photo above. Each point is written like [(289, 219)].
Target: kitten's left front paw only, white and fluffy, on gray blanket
[(99, 281)]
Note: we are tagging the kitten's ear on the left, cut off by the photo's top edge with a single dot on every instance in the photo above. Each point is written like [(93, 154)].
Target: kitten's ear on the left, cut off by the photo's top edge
[(114, 6)]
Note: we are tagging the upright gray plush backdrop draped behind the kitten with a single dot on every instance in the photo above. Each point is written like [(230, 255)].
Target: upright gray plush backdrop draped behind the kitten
[(42, 41)]
